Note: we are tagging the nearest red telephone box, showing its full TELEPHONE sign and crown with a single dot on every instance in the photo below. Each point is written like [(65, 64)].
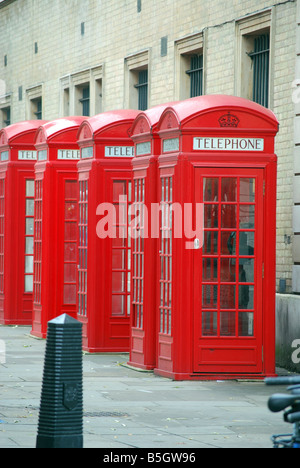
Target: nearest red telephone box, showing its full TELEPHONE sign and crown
[(217, 183)]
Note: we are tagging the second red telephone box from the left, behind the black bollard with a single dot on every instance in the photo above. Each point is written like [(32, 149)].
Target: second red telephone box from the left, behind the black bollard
[(55, 220)]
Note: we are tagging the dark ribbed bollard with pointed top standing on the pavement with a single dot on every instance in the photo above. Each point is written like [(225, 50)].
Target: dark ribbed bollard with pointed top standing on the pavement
[(61, 409)]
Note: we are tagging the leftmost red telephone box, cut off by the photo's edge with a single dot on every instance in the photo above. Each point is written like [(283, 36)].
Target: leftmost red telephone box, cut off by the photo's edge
[(17, 159)]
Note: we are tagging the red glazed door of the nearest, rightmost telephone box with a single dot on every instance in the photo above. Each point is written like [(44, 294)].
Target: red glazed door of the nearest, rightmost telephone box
[(228, 272)]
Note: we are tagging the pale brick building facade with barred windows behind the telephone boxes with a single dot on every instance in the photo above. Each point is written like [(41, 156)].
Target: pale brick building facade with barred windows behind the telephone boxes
[(84, 57)]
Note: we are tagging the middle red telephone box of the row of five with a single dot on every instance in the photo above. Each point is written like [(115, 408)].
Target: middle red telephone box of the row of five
[(105, 184)]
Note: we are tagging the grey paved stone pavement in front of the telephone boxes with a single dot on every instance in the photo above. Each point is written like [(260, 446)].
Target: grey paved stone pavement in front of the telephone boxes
[(126, 409)]
